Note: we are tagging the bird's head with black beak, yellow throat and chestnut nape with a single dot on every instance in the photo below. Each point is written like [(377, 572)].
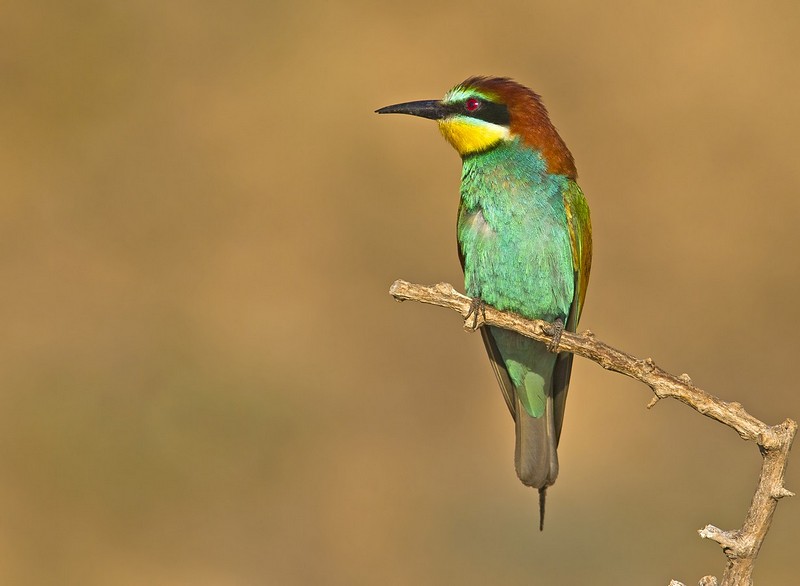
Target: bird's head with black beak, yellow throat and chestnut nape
[(481, 113)]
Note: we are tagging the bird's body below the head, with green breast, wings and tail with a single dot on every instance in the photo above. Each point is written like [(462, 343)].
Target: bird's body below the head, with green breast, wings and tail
[(516, 227)]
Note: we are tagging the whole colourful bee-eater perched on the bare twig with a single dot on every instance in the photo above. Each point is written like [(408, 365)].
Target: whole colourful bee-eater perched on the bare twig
[(525, 245)]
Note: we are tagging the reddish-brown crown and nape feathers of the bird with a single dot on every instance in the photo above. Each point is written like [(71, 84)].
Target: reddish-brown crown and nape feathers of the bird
[(529, 120)]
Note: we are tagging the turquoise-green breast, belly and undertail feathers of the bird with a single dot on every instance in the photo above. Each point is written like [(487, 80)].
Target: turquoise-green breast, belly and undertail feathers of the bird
[(514, 240)]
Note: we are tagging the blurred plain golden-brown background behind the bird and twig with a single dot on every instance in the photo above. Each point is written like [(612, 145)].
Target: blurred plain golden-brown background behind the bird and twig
[(203, 378)]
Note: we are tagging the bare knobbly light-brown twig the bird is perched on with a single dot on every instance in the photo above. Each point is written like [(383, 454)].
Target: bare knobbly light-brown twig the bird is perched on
[(741, 546)]
